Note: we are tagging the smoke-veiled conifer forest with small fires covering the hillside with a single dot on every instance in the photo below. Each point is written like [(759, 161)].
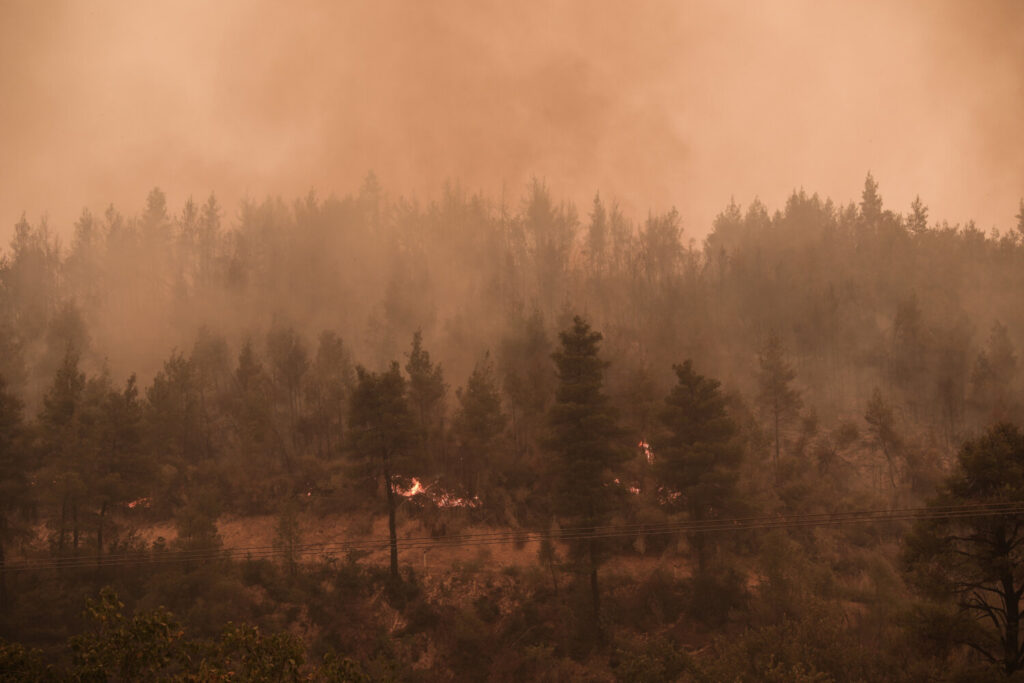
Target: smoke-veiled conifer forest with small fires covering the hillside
[(370, 438)]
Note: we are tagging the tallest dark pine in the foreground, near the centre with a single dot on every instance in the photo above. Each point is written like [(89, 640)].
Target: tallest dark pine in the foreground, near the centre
[(585, 441)]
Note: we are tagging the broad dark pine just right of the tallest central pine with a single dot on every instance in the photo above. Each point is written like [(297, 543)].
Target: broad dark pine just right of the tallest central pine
[(700, 457)]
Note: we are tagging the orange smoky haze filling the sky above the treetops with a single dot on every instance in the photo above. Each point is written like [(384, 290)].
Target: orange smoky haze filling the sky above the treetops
[(656, 104)]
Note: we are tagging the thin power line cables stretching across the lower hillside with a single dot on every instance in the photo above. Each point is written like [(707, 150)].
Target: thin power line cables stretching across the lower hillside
[(758, 524)]
